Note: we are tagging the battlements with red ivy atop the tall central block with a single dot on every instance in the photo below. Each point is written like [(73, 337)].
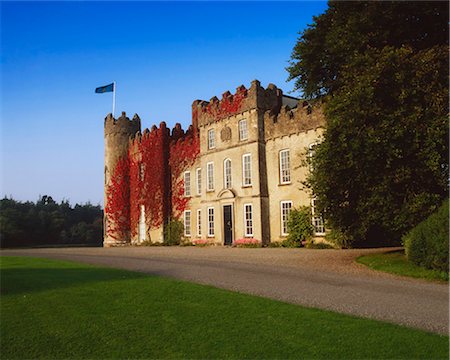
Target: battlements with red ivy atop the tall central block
[(256, 97)]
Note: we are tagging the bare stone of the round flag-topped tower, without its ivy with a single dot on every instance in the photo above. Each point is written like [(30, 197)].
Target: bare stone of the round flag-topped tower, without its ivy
[(117, 137)]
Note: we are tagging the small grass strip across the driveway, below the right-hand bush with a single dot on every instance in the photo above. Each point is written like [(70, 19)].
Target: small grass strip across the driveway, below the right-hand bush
[(395, 262)]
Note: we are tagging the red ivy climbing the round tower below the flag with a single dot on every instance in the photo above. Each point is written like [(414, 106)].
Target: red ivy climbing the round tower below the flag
[(118, 200)]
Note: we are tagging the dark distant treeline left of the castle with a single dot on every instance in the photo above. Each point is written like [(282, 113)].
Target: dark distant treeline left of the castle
[(48, 223)]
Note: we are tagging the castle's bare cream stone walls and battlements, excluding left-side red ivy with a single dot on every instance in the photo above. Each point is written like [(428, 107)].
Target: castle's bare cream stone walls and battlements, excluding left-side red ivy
[(248, 173)]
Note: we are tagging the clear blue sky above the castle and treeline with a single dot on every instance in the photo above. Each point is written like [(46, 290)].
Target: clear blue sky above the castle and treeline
[(163, 55)]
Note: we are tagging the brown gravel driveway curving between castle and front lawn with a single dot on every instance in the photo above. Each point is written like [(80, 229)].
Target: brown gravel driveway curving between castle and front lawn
[(327, 279)]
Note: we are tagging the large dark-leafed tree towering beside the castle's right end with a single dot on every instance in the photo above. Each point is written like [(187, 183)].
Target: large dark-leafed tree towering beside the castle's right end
[(383, 70)]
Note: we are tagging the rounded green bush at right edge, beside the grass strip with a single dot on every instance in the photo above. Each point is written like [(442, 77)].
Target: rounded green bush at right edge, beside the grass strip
[(426, 245)]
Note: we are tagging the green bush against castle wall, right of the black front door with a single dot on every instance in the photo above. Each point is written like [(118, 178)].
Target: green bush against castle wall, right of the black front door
[(299, 226)]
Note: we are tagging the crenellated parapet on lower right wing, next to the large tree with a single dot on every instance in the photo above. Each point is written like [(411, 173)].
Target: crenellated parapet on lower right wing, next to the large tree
[(289, 121)]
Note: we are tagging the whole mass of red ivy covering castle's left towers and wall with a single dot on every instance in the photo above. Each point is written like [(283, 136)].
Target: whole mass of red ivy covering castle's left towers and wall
[(142, 177)]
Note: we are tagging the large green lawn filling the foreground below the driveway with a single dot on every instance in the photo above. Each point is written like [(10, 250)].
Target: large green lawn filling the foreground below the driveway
[(54, 309)]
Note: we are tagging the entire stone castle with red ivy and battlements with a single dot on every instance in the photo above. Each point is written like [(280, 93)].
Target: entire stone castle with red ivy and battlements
[(235, 173)]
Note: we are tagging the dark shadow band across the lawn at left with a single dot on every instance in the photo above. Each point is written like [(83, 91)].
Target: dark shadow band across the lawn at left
[(28, 280)]
